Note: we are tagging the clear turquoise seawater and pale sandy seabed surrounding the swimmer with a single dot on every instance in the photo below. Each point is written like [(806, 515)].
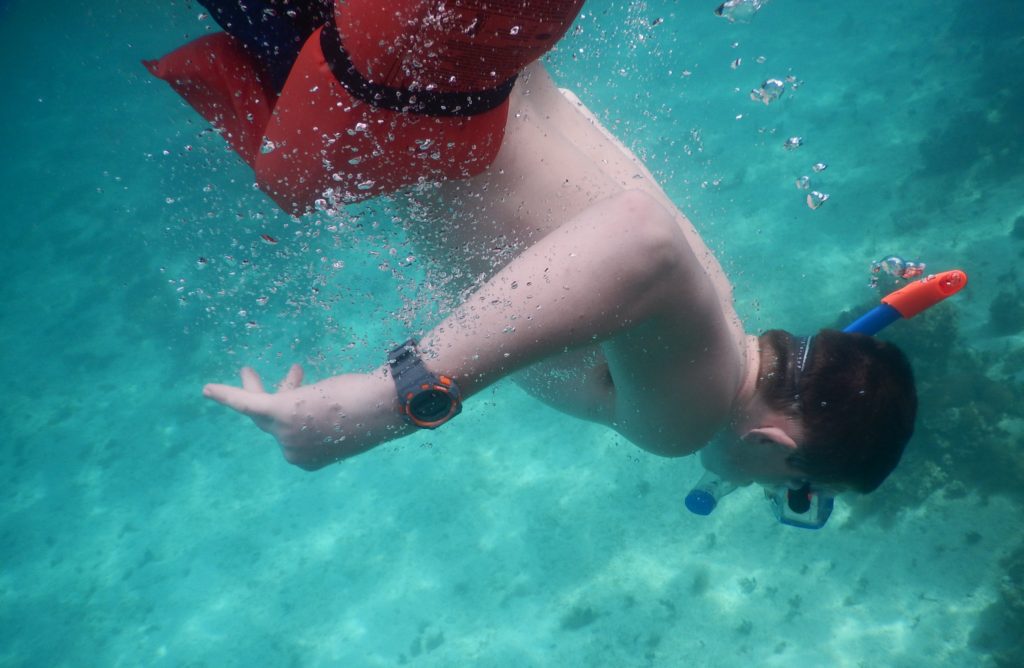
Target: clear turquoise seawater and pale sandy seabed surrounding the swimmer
[(144, 526)]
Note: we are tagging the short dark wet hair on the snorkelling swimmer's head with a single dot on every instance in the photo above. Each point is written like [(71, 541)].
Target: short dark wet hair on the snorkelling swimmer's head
[(856, 397)]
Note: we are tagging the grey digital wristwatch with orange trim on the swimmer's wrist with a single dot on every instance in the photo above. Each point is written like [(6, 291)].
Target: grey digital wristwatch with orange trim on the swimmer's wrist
[(426, 400)]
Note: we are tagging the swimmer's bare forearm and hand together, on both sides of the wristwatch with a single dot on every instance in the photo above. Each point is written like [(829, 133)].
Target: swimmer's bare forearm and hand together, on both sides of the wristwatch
[(621, 264)]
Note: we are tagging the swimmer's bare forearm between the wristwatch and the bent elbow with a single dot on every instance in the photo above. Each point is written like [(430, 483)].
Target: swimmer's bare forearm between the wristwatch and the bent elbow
[(621, 264)]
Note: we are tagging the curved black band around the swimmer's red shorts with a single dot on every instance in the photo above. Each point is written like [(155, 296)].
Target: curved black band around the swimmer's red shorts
[(401, 100)]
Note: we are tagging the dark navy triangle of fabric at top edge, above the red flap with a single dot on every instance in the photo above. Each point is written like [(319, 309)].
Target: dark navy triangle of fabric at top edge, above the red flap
[(271, 31)]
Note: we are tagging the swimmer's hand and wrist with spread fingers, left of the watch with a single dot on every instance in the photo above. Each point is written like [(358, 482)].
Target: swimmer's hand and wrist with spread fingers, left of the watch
[(318, 425)]
